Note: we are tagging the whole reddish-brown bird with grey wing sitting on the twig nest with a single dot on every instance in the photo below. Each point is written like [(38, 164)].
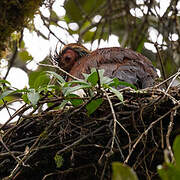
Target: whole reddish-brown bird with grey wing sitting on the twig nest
[(122, 63)]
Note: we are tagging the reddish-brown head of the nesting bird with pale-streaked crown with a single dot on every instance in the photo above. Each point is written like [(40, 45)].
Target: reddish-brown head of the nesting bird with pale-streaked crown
[(70, 54)]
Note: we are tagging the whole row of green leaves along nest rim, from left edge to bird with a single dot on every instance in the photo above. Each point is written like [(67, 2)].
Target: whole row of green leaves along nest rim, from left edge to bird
[(93, 82)]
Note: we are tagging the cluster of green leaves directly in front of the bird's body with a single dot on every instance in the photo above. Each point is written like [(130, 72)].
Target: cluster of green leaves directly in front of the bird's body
[(94, 82)]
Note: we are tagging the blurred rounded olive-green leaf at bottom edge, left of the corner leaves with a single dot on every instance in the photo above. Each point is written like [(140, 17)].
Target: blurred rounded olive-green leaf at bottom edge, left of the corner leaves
[(123, 172)]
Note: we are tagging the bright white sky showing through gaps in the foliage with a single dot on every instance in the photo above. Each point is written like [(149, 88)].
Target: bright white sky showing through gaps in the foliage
[(39, 48)]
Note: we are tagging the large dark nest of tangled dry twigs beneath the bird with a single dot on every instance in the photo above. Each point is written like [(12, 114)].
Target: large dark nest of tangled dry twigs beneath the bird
[(69, 144)]
